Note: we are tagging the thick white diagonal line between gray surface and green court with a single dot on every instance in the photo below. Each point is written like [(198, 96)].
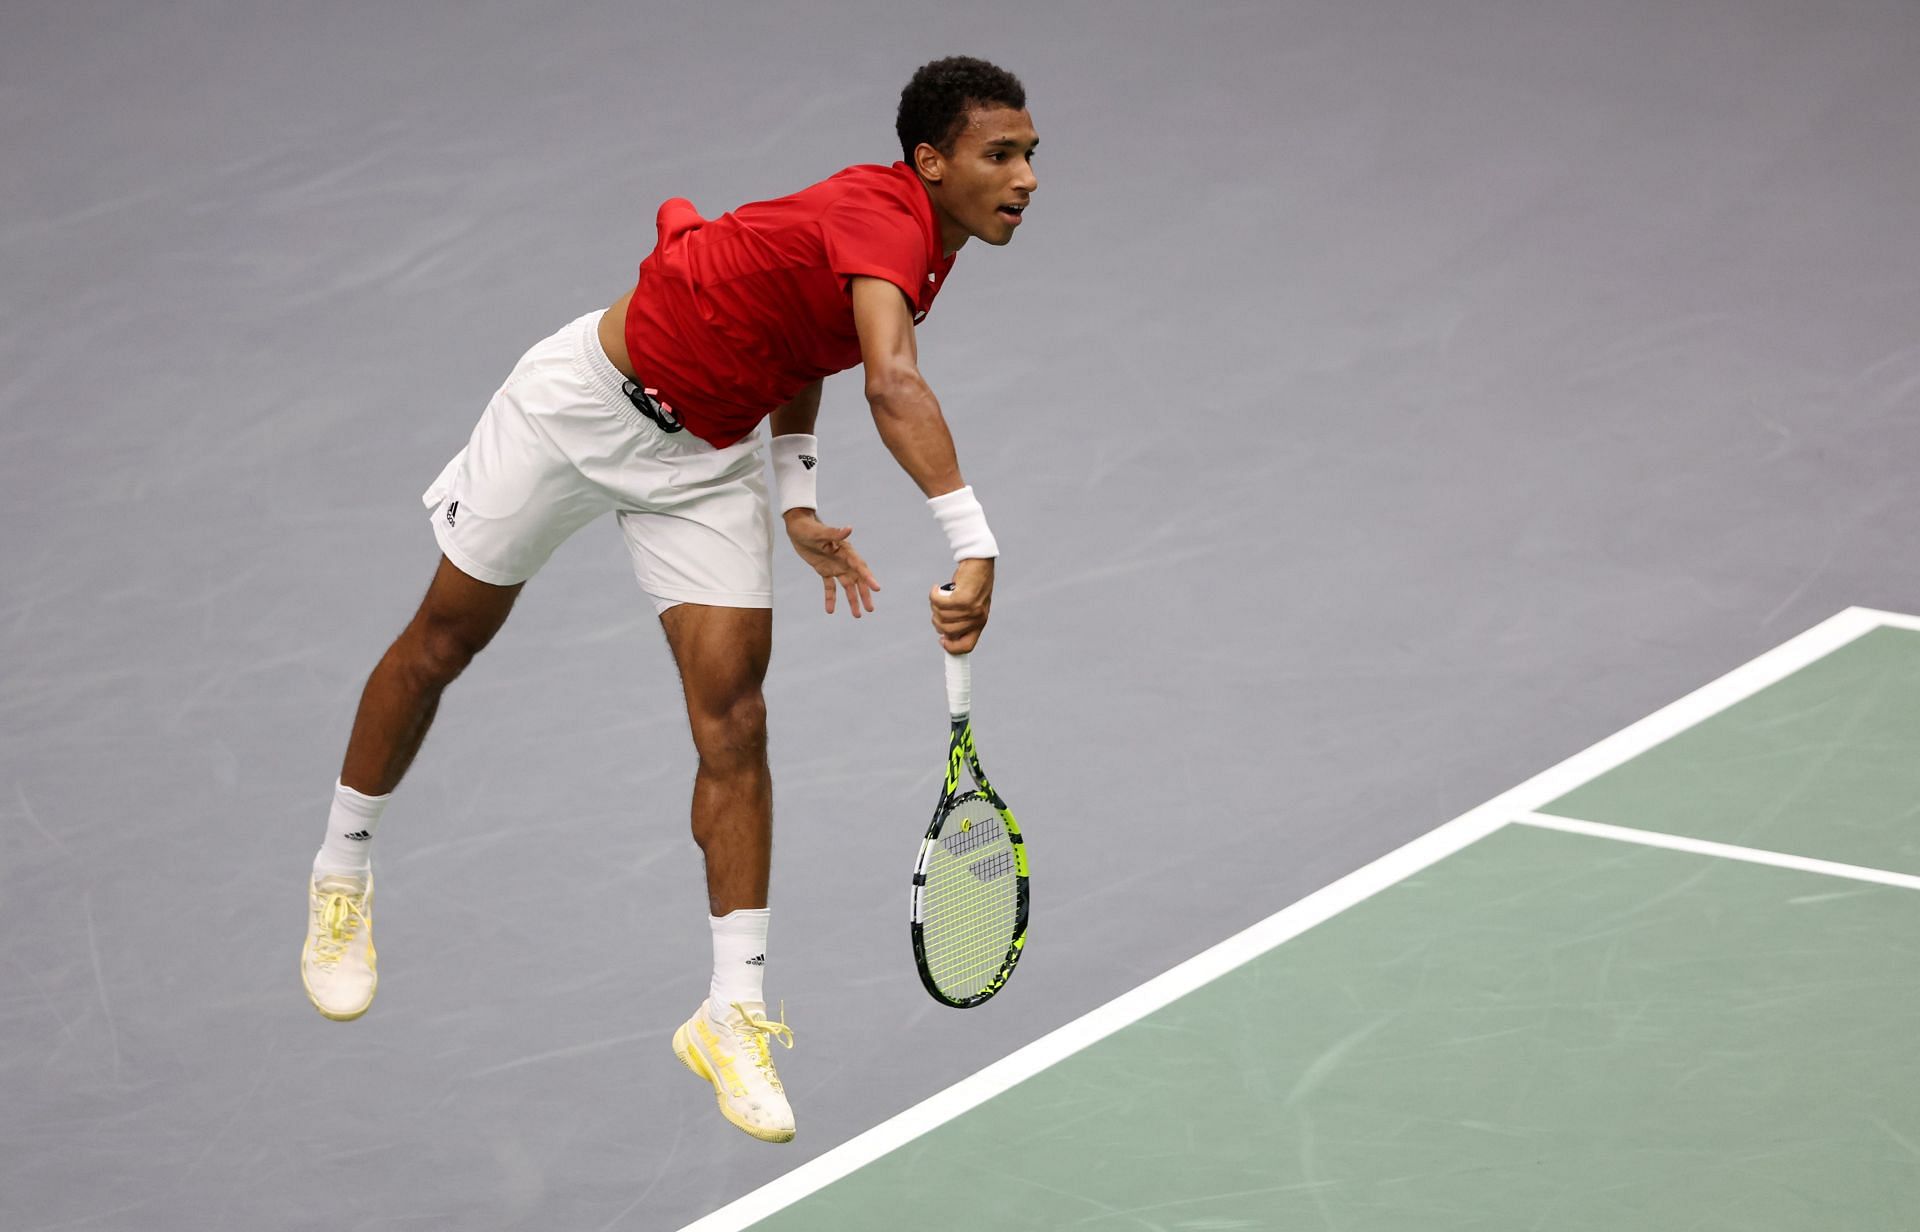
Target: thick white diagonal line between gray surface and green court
[(1284, 926)]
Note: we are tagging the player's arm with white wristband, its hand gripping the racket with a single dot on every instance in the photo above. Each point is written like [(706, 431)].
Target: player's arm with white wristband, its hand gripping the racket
[(915, 431)]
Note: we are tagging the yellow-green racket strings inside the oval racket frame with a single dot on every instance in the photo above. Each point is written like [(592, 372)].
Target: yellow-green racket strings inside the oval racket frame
[(972, 899)]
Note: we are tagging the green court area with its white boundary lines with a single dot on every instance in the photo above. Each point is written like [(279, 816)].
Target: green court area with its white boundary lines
[(1671, 983)]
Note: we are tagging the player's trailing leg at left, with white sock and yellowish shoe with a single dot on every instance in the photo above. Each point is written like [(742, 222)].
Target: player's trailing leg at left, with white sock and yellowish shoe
[(456, 621)]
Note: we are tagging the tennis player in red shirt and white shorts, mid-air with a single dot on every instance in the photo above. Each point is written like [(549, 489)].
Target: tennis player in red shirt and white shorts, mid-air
[(650, 410)]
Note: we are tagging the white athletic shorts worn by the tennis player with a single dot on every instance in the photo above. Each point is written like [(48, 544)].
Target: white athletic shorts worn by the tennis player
[(560, 444)]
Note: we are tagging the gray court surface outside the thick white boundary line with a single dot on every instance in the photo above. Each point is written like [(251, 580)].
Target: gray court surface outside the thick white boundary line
[(1381, 402)]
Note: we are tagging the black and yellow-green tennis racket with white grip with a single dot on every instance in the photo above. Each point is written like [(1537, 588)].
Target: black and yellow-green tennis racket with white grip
[(971, 880)]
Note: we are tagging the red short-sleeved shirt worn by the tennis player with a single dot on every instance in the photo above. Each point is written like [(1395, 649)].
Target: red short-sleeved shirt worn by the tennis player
[(734, 318)]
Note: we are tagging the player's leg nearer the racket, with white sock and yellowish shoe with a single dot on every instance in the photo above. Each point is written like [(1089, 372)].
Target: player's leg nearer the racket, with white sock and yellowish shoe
[(723, 659)]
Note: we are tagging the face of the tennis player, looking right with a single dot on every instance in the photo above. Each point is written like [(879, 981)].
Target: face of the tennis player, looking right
[(986, 183)]
